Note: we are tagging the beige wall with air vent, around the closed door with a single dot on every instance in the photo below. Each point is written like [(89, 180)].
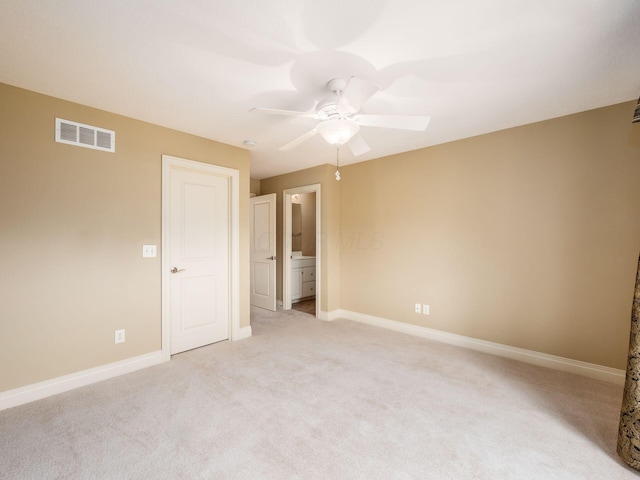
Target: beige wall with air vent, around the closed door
[(73, 222)]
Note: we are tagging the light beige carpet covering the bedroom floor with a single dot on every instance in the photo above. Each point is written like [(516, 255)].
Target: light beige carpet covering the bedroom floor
[(306, 399)]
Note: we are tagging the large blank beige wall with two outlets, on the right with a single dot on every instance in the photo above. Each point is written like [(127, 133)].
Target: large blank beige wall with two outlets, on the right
[(527, 237)]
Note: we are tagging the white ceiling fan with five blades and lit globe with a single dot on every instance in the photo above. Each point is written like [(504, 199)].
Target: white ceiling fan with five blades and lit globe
[(340, 120)]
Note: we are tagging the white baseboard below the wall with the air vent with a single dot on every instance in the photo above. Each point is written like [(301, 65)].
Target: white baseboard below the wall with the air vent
[(37, 391)]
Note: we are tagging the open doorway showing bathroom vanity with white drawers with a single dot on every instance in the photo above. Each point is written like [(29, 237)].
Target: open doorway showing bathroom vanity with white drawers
[(302, 249)]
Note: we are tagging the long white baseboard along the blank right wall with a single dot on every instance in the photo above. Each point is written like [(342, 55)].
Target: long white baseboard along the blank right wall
[(585, 369)]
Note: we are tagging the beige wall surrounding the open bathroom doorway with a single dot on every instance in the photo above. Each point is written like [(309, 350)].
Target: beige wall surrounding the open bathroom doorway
[(330, 204)]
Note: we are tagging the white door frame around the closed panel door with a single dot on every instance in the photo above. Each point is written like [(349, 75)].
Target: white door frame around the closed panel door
[(233, 177)]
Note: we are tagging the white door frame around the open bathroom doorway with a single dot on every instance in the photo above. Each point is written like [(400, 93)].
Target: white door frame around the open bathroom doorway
[(286, 244)]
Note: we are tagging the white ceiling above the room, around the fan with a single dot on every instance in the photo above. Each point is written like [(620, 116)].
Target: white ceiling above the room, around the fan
[(200, 66)]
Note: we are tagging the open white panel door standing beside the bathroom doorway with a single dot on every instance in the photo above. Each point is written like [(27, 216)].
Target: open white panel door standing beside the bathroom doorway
[(263, 251)]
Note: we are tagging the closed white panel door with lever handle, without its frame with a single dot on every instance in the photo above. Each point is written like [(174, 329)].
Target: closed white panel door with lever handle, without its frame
[(199, 259)]
